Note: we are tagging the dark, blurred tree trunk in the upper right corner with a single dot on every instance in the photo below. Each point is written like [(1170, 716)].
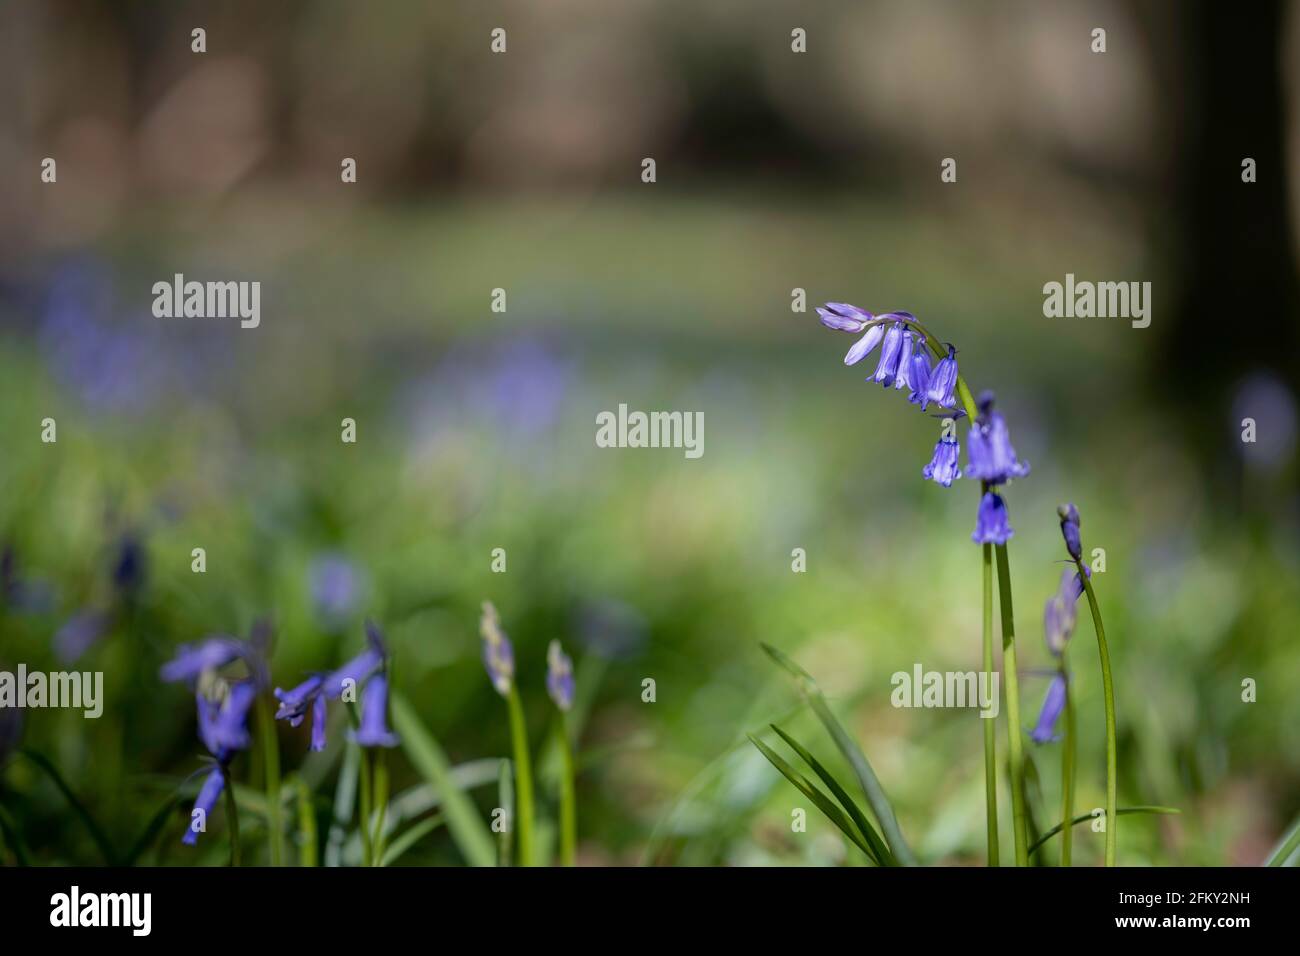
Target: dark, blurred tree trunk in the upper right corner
[(1234, 308)]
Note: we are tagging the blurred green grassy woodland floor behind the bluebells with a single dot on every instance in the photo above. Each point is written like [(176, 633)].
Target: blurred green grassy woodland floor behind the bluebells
[(476, 432)]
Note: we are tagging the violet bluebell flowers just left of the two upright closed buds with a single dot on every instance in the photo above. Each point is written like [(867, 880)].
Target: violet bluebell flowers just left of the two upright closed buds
[(365, 673)]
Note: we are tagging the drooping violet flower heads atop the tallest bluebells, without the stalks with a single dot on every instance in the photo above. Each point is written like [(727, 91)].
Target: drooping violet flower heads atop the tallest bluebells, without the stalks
[(905, 366)]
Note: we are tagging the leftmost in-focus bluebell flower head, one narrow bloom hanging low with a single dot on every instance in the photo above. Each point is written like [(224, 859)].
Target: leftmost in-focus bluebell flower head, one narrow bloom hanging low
[(223, 706)]
